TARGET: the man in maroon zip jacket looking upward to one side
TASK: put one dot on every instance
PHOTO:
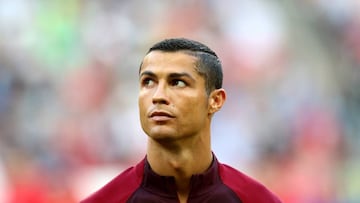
(180, 90)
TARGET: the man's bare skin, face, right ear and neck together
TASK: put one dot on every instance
(175, 113)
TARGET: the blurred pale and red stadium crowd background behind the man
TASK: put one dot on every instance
(69, 82)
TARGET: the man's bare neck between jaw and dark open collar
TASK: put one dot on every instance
(180, 160)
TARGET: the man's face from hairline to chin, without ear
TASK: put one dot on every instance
(173, 103)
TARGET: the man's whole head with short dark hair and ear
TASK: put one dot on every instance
(180, 89)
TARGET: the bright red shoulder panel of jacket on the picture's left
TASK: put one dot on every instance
(120, 188)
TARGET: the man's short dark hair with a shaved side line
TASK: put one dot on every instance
(208, 64)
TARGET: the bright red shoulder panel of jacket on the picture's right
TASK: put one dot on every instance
(246, 188)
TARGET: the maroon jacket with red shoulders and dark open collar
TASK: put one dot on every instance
(220, 183)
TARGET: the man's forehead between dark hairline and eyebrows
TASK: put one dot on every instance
(169, 61)
